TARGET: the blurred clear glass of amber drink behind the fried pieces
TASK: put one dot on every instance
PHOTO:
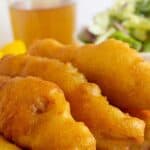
(37, 19)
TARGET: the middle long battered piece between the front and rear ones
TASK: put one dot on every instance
(108, 124)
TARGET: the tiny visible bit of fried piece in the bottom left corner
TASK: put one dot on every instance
(5, 145)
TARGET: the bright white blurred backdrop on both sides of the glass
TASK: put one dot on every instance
(86, 10)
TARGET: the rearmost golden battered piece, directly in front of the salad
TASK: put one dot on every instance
(120, 71)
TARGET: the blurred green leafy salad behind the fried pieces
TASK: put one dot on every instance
(127, 20)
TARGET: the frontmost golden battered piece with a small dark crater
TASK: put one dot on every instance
(35, 115)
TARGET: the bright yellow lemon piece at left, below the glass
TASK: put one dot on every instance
(14, 48)
